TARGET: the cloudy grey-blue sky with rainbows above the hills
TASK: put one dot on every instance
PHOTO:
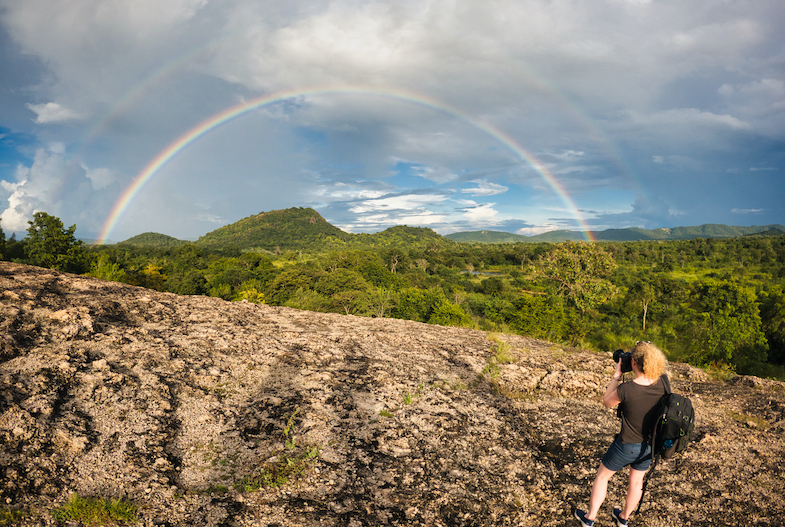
(525, 116)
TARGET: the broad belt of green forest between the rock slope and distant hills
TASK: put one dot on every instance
(716, 303)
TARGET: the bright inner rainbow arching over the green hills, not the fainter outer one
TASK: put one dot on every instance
(239, 110)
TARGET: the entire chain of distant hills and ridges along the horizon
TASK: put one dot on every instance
(304, 229)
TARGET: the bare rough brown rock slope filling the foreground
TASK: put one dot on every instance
(181, 404)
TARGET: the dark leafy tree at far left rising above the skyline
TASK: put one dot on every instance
(50, 245)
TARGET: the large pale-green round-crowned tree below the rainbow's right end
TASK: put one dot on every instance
(580, 270)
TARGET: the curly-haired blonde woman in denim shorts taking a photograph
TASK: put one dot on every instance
(638, 402)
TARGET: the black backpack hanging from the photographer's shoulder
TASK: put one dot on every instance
(671, 431)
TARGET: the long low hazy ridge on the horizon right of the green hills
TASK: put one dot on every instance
(620, 235)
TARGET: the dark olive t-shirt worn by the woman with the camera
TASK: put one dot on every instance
(639, 406)
